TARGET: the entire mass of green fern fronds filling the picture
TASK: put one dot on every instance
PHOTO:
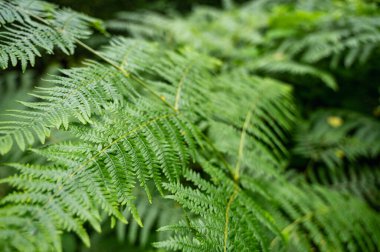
(209, 127)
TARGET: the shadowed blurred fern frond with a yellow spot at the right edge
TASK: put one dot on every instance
(339, 147)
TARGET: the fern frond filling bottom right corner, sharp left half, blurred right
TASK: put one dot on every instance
(309, 217)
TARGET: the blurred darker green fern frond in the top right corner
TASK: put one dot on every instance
(348, 39)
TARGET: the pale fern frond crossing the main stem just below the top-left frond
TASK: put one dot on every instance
(82, 92)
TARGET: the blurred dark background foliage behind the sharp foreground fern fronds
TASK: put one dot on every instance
(328, 50)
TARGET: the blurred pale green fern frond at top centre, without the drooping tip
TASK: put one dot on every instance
(207, 29)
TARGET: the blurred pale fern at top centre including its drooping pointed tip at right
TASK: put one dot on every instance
(204, 30)
